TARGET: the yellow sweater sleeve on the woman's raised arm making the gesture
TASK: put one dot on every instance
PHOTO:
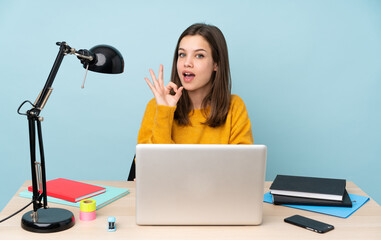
(157, 123)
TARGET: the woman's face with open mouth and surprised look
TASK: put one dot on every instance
(195, 64)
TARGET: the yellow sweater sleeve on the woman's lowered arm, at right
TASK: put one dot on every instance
(241, 127)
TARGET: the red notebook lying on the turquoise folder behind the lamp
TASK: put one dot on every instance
(70, 190)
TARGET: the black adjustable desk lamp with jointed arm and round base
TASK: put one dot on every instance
(101, 58)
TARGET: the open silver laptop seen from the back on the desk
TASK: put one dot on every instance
(199, 184)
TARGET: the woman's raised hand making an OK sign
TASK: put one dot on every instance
(163, 93)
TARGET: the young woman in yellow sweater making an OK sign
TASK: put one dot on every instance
(196, 106)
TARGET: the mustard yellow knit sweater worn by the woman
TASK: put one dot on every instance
(159, 126)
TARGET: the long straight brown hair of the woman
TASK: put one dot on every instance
(219, 96)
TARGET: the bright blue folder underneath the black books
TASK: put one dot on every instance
(343, 212)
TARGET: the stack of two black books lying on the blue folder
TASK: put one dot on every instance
(297, 190)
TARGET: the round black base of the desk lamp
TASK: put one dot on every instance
(49, 220)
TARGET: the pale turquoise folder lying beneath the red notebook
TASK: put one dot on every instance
(111, 194)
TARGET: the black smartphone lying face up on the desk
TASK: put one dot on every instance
(309, 224)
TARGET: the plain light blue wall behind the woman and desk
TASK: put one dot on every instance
(308, 71)
